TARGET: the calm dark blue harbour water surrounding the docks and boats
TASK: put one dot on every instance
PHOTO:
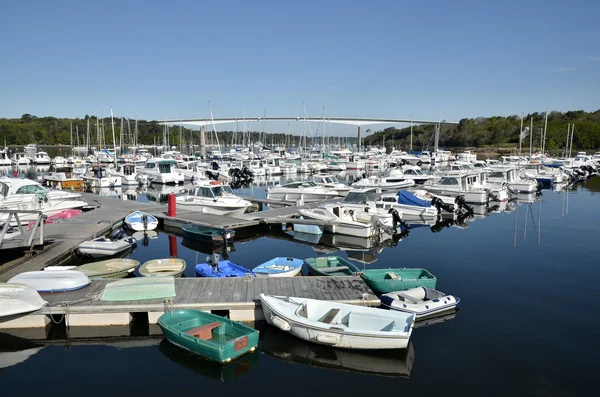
(527, 276)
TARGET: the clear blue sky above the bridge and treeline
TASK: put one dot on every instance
(431, 59)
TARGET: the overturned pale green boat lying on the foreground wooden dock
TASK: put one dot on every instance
(139, 288)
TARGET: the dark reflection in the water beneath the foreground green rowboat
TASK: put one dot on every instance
(215, 371)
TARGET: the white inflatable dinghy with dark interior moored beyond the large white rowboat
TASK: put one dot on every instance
(420, 301)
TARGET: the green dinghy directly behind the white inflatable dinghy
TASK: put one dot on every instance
(382, 281)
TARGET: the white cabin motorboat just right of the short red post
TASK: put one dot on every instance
(213, 197)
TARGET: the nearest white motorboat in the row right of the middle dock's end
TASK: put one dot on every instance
(350, 221)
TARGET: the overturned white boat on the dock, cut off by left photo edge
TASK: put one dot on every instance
(18, 299)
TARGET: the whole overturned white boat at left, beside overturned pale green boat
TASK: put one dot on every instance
(54, 281)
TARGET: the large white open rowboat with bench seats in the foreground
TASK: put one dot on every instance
(338, 324)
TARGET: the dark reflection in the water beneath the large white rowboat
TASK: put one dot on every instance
(285, 347)
